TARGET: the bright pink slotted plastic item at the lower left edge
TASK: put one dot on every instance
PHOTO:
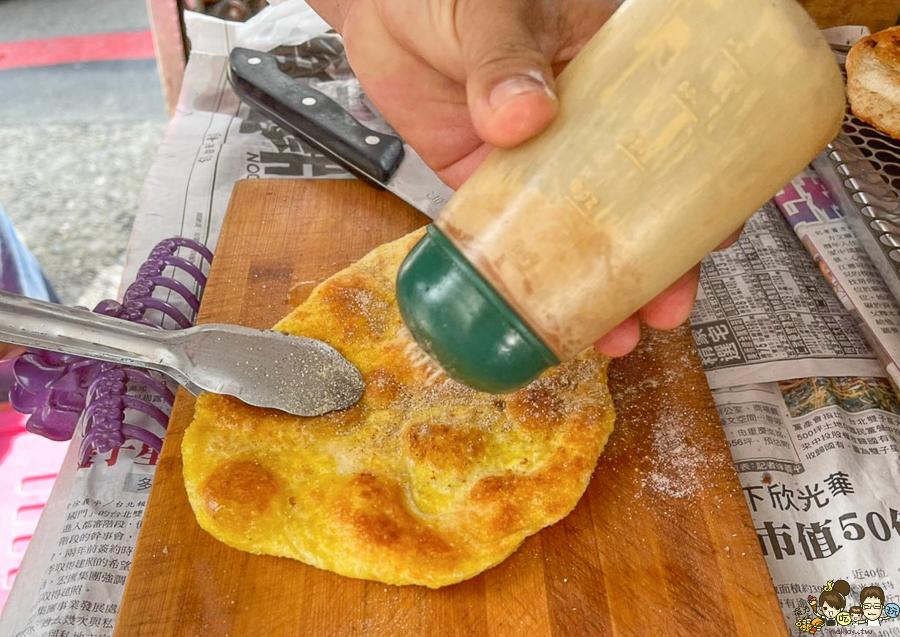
(28, 468)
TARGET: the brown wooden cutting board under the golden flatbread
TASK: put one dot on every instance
(661, 543)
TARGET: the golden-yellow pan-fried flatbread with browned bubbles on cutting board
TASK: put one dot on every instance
(424, 481)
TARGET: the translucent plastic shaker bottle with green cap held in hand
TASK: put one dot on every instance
(677, 121)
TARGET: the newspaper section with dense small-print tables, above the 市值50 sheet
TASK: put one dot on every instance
(765, 311)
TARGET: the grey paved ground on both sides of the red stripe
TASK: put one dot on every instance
(76, 142)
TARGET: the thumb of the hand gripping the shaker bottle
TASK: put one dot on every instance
(509, 81)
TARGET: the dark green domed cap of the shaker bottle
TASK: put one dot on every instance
(458, 318)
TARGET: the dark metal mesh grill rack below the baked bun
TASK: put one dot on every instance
(862, 170)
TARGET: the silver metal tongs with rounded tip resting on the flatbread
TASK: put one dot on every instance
(301, 376)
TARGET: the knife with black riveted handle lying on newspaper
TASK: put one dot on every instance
(381, 160)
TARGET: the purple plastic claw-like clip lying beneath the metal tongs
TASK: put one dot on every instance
(58, 389)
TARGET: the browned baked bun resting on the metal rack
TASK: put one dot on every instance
(873, 80)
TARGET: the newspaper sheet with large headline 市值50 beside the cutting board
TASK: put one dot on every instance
(818, 462)
